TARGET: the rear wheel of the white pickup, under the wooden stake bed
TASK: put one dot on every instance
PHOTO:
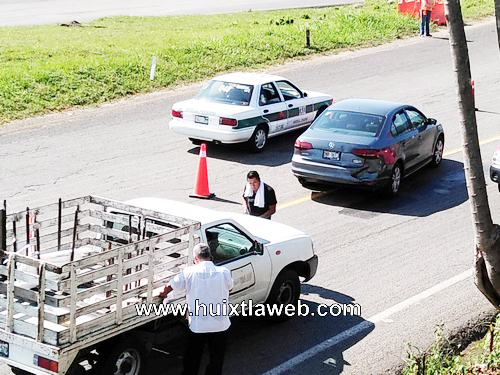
(128, 357)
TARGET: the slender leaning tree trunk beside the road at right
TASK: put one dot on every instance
(486, 234)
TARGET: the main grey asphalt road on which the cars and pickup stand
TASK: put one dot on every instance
(405, 261)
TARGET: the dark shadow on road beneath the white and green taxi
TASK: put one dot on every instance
(278, 151)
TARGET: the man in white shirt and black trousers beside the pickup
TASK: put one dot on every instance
(207, 292)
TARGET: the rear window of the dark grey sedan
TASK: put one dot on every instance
(352, 123)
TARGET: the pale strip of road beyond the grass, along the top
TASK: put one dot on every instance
(33, 12)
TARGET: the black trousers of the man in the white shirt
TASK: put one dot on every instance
(216, 341)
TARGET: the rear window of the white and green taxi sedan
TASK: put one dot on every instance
(226, 93)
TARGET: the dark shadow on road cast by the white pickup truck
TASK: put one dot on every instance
(255, 345)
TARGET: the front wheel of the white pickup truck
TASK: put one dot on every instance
(285, 291)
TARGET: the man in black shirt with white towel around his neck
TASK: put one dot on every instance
(259, 198)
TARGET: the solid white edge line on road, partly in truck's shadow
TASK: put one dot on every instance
(299, 358)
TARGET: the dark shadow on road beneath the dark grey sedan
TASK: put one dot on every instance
(422, 194)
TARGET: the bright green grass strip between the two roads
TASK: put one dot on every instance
(51, 68)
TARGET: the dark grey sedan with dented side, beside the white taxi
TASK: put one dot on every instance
(367, 142)
